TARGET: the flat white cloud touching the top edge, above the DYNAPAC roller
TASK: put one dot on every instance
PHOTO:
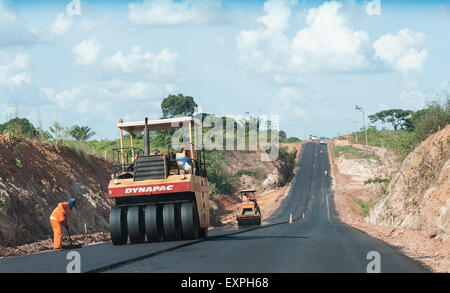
(170, 12)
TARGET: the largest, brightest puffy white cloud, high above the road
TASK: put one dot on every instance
(326, 44)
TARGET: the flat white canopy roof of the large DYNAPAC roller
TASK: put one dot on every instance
(160, 124)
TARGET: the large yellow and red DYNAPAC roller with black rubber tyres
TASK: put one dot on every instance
(158, 195)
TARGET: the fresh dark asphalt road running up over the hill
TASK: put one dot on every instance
(319, 242)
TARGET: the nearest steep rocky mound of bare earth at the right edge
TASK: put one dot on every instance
(419, 195)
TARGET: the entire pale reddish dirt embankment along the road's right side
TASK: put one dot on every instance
(412, 211)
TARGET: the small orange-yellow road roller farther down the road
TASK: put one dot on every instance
(248, 213)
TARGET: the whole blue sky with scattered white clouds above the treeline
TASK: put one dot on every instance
(309, 62)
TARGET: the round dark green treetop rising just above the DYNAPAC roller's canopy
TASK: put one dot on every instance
(178, 105)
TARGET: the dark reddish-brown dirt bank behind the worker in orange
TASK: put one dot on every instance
(35, 176)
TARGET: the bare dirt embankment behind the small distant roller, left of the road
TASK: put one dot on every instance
(264, 177)
